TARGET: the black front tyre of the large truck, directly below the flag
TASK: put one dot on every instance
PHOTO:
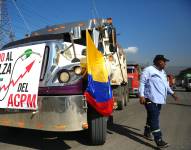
(97, 127)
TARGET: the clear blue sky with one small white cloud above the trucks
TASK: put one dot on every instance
(145, 27)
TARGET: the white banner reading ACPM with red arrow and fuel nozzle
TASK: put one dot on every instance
(19, 76)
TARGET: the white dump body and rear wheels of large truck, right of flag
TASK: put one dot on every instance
(119, 81)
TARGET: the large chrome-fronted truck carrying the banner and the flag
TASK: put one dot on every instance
(61, 103)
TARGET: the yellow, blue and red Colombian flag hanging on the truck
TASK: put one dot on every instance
(98, 92)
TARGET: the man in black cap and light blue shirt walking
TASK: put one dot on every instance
(153, 91)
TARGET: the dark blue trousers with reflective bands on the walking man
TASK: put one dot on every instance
(153, 114)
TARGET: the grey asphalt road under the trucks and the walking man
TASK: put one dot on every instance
(124, 134)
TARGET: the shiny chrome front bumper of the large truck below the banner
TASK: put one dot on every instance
(55, 113)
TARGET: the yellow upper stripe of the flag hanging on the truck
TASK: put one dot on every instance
(95, 61)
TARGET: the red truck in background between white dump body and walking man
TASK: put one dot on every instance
(133, 71)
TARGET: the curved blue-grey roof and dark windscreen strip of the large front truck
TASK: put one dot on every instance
(58, 31)
